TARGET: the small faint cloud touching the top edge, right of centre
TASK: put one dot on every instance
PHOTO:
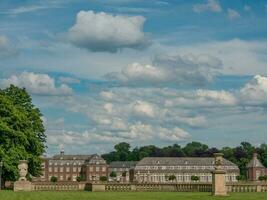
(210, 5)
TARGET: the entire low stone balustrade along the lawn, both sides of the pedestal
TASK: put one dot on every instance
(146, 187)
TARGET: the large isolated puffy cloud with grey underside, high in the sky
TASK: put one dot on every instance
(106, 32)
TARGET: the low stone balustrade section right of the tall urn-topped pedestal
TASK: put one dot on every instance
(247, 187)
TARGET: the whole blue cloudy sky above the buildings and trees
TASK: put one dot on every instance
(140, 71)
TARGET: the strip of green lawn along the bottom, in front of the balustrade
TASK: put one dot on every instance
(10, 195)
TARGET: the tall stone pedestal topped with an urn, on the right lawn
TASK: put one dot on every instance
(218, 177)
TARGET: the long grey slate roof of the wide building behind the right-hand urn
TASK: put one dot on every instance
(181, 161)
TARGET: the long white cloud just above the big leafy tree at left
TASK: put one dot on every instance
(40, 84)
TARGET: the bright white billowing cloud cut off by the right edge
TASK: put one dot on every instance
(255, 91)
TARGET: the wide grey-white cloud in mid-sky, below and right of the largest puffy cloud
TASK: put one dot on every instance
(170, 70)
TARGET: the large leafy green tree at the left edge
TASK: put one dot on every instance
(22, 134)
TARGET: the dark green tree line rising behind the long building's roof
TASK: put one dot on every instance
(240, 155)
